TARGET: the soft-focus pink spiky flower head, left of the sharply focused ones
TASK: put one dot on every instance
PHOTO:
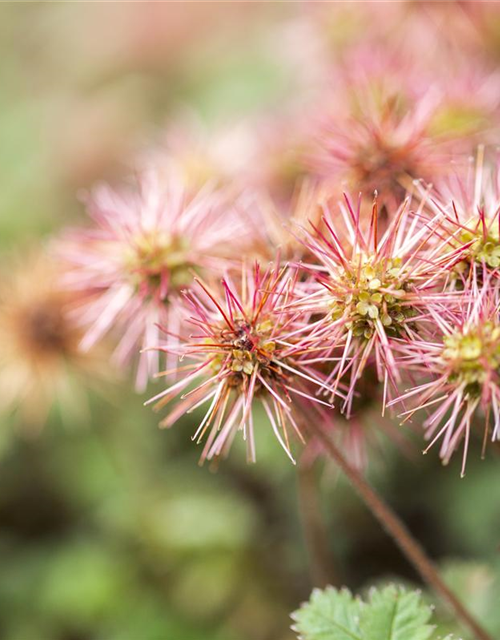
(139, 253)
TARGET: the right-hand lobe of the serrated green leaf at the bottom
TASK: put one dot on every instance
(395, 614)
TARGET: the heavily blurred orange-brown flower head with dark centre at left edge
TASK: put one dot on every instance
(40, 363)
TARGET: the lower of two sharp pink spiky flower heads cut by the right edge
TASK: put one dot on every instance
(463, 362)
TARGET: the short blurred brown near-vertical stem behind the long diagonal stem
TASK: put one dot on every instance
(315, 533)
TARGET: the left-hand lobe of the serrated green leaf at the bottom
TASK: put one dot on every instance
(329, 615)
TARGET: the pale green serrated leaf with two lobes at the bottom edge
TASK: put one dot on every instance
(392, 613)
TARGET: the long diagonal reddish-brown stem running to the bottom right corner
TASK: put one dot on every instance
(394, 526)
